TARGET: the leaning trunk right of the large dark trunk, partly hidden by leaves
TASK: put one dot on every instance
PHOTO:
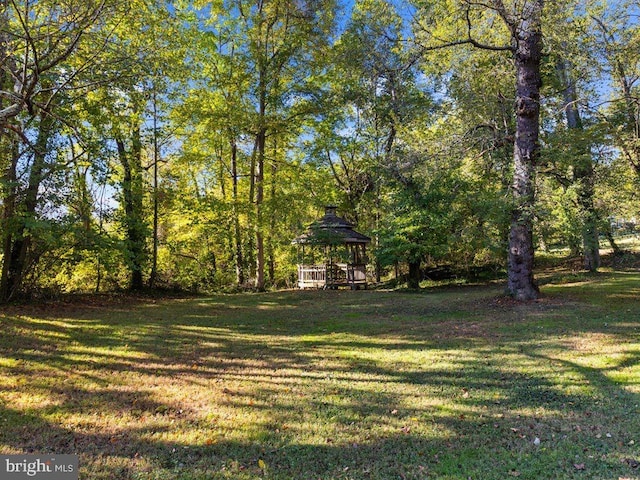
(583, 175)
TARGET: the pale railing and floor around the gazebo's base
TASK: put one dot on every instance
(333, 275)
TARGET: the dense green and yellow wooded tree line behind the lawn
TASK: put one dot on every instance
(184, 144)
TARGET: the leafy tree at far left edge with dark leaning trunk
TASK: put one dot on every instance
(37, 42)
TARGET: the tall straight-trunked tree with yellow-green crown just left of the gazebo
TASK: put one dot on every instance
(282, 38)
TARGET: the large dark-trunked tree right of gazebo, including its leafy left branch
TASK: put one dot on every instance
(522, 22)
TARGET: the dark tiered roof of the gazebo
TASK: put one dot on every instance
(331, 230)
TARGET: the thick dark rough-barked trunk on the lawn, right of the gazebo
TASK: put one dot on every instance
(528, 52)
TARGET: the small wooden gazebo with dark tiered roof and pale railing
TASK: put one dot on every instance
(332, 254)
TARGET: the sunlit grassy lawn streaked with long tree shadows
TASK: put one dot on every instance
(448, 383)
